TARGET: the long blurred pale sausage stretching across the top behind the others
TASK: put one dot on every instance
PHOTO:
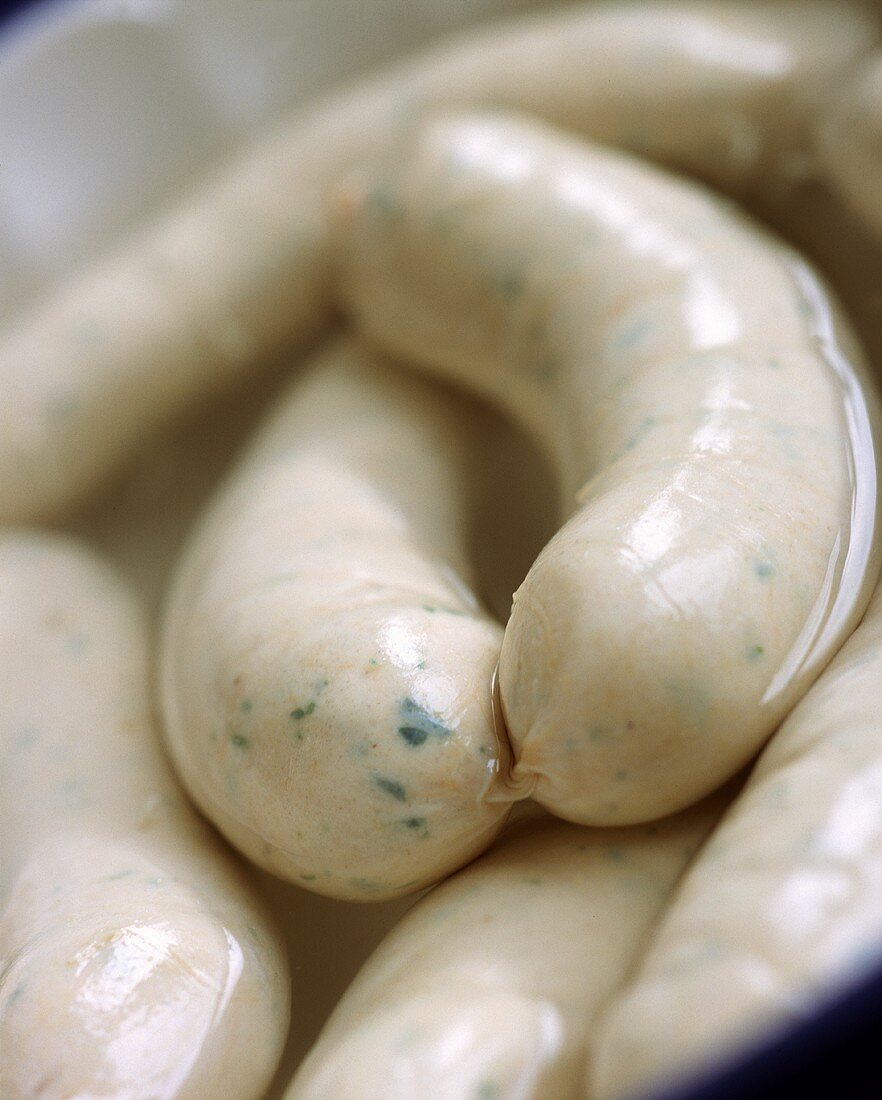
(239, 270)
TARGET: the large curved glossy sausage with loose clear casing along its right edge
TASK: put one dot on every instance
(701, 398)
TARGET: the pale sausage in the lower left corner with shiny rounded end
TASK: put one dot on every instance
(136, 961)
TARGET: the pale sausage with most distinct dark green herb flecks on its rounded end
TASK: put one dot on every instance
(326, 672)
